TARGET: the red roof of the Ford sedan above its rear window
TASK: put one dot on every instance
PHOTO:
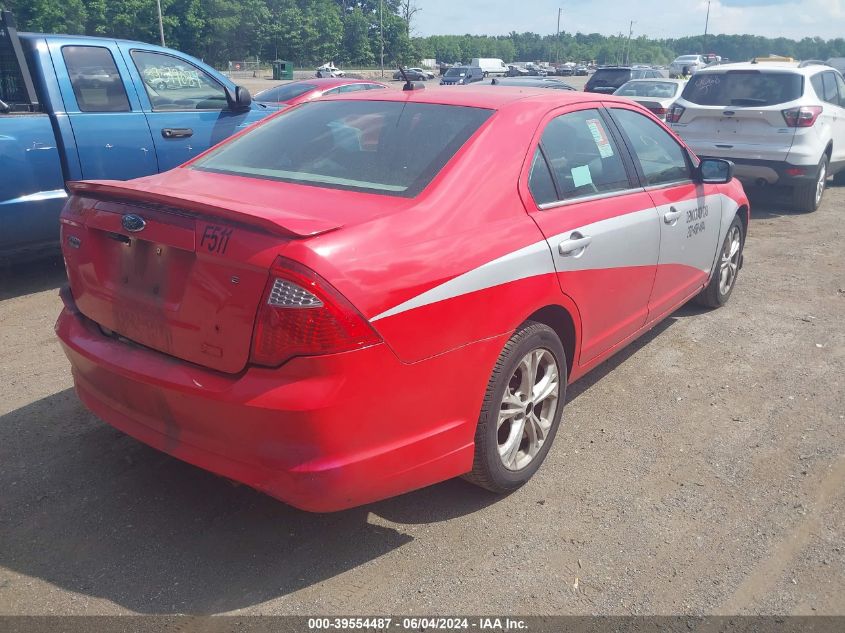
(481, 96)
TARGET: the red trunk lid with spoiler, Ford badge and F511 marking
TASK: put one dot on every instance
(181, 272)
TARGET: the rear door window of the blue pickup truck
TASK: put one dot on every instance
(96, 83)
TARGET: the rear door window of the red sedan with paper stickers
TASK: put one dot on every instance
(584, 159)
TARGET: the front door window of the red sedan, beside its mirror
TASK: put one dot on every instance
(661, 158)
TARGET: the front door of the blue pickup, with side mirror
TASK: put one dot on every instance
(186, 106)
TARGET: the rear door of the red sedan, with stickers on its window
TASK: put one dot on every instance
(600, 225)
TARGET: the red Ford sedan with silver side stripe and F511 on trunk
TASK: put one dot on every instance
(372, 293)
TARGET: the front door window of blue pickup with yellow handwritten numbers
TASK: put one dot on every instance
(174, 84)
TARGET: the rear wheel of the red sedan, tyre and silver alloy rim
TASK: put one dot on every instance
(522, 409)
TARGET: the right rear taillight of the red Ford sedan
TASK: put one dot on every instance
(301, 314)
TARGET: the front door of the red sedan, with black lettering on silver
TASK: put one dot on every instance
(690, 213)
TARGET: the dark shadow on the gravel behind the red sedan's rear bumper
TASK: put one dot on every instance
(90, 510)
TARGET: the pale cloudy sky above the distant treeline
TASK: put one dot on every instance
(654, 18)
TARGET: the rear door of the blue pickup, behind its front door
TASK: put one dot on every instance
(111, 133)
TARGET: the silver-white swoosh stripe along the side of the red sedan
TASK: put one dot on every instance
(621, 248)
